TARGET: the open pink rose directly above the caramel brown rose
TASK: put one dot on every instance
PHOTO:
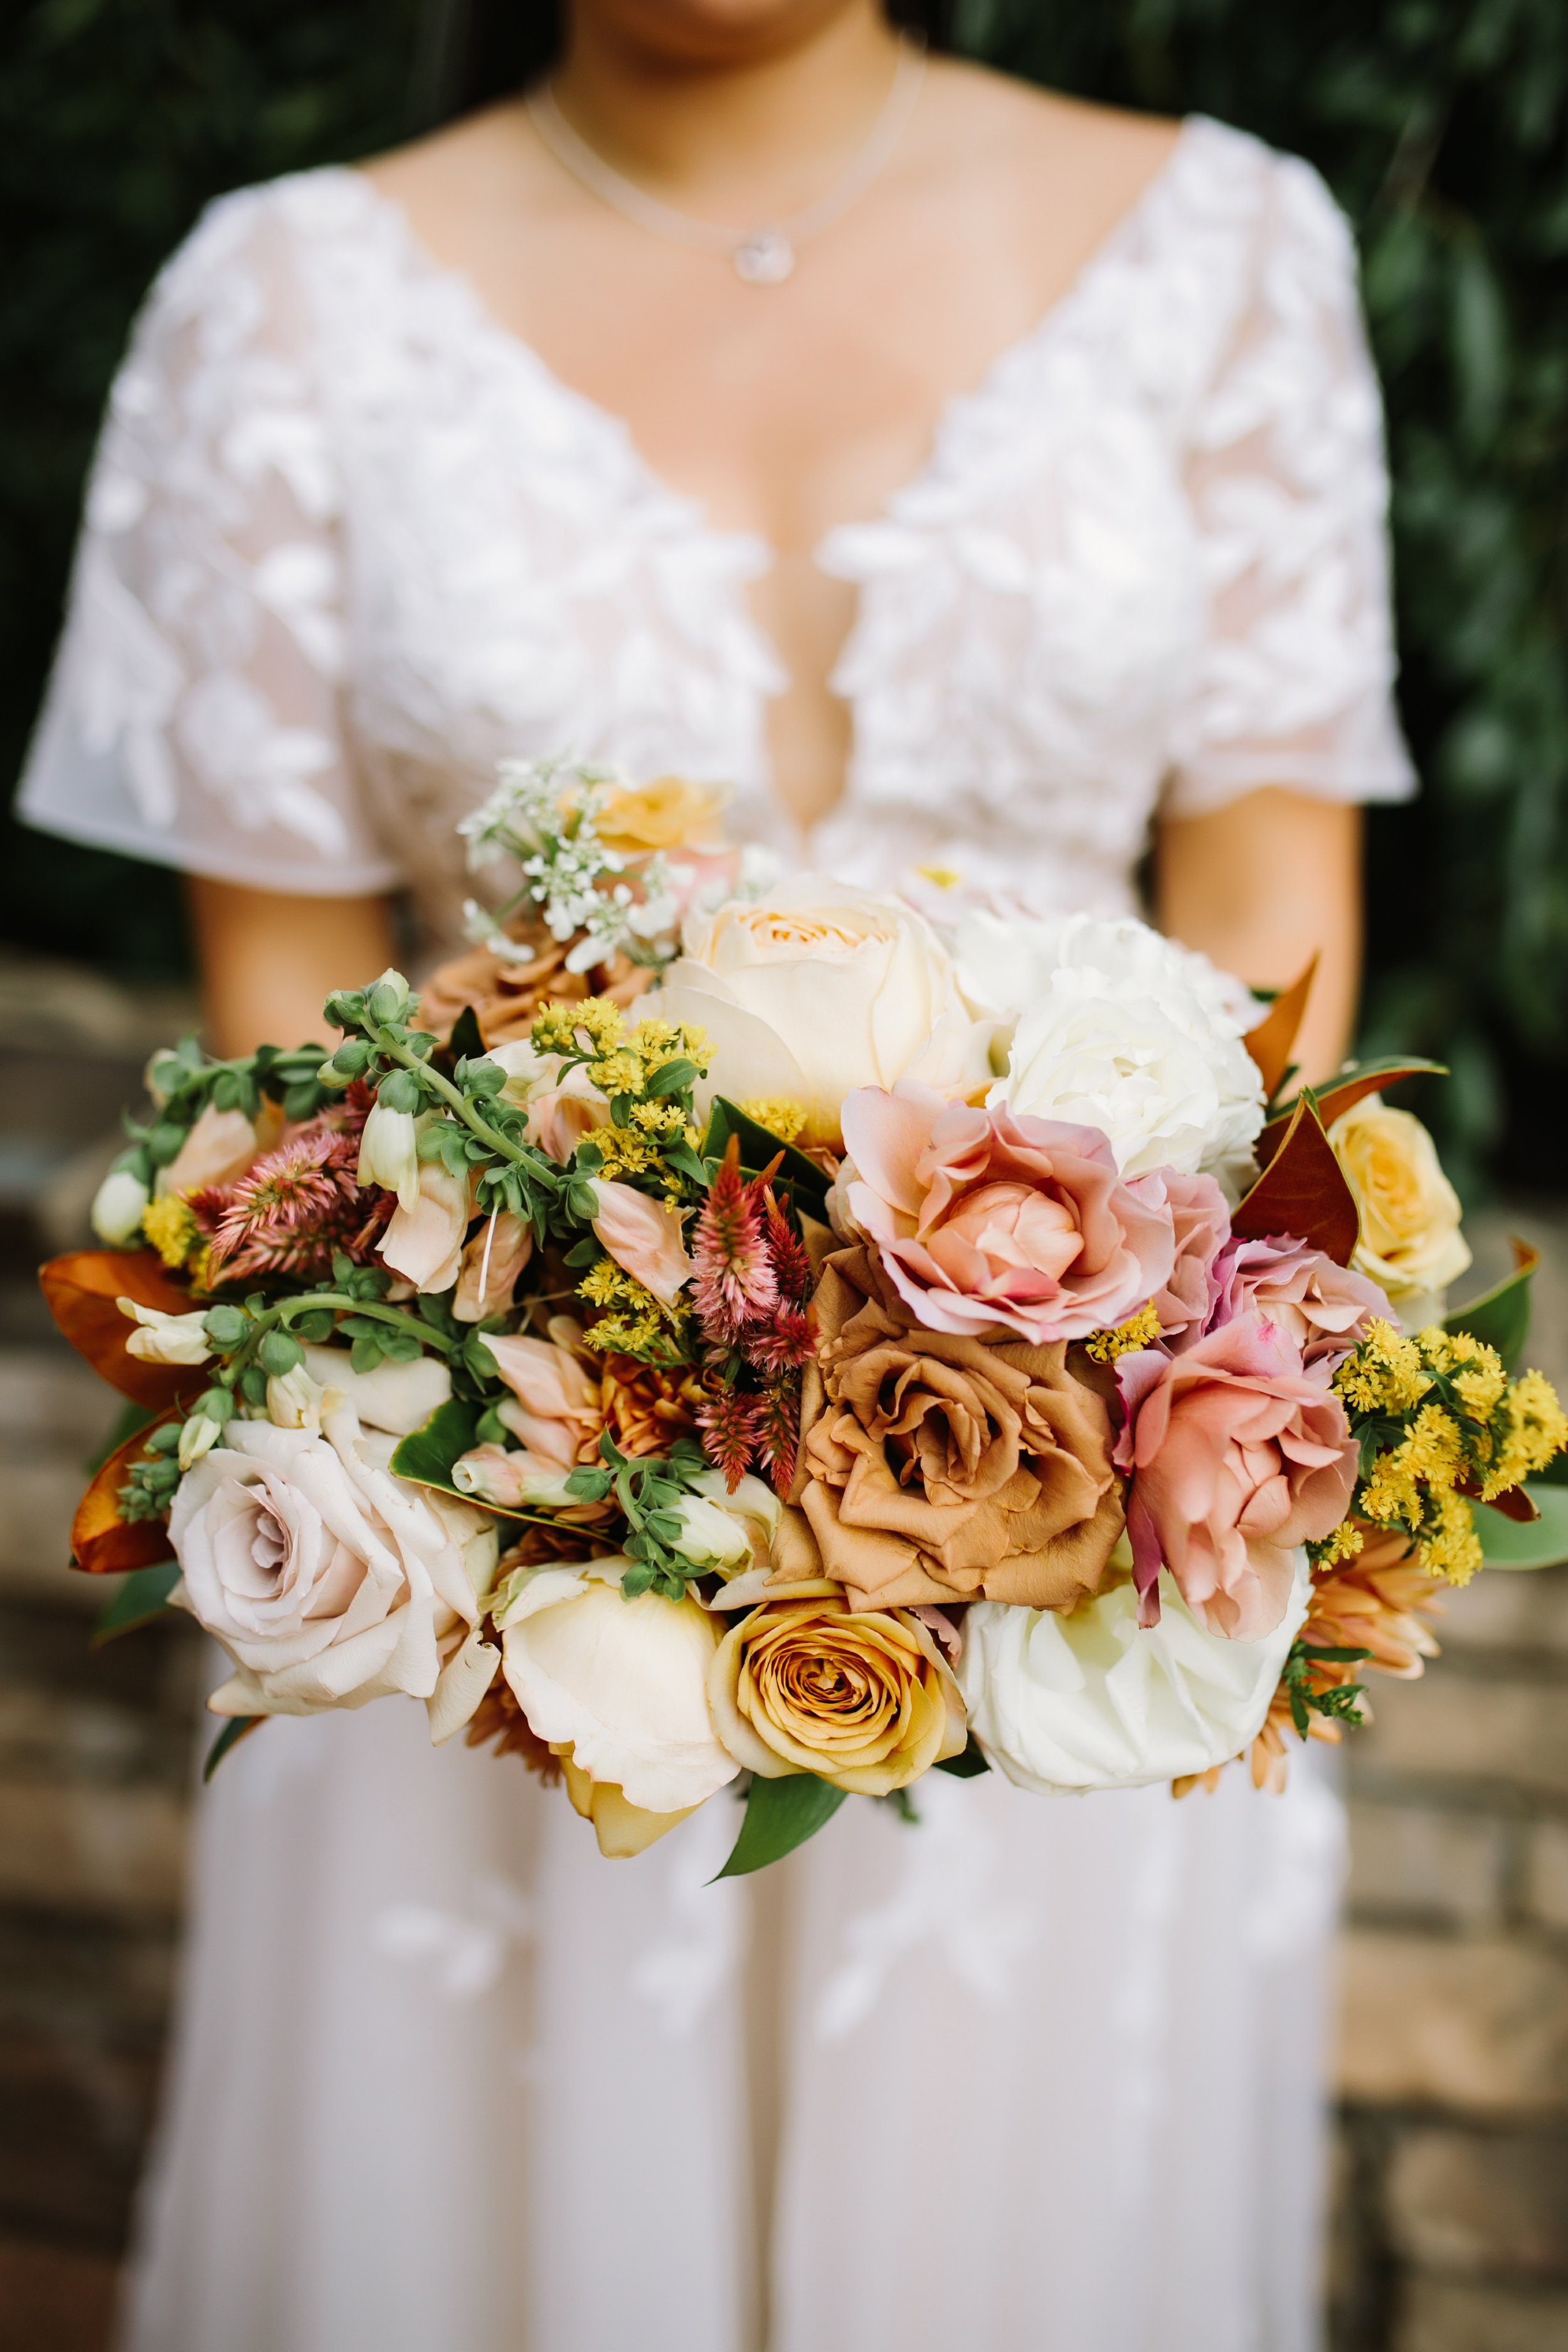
(996, 1222)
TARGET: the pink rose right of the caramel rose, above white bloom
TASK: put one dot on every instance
(1238, 1457)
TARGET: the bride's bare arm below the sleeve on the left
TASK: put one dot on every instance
(269, 961)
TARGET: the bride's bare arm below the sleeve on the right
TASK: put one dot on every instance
(1259, 888)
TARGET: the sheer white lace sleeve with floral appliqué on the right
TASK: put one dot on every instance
(1289, 486)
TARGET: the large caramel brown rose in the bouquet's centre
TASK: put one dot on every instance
(944, 1469)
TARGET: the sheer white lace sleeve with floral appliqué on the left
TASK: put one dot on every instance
(196, 709)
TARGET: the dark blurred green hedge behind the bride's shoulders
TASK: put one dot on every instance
(1442, 128)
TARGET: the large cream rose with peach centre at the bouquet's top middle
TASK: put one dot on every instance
(815, 991)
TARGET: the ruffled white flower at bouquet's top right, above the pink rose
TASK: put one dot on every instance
(1127, 1031)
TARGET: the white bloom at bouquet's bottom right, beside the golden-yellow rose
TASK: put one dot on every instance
(1090, 1699)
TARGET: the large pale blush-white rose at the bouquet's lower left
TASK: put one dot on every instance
(326, 1579)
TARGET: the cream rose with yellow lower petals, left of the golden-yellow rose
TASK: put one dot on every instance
(622, 1692)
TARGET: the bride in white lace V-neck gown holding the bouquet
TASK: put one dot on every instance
(989, 488)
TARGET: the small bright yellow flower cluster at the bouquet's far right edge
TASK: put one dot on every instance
(1452, 1426)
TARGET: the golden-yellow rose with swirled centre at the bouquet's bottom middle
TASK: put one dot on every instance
(859, 1697)
